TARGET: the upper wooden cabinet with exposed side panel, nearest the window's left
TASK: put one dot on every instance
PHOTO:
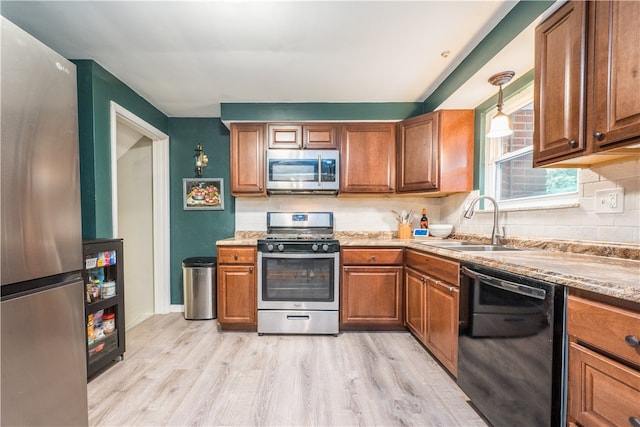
(435, 152)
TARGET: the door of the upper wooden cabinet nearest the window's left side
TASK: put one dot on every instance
(417, 153)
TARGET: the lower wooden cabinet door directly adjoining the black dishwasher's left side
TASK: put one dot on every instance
(443, 323)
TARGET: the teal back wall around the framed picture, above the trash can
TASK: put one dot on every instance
(194, 233)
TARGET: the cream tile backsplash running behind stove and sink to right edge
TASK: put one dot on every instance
(575, 222)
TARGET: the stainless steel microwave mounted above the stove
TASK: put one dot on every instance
(303, 171)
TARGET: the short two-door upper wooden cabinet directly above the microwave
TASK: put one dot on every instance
(295, 136)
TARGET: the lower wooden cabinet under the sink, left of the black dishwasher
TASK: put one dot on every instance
(431, 301)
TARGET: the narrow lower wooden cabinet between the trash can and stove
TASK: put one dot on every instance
(237, 296)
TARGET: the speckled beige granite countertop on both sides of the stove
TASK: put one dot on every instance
(612, 270)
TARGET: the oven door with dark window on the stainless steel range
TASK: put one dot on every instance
(298, 279)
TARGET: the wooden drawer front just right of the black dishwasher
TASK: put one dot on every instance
(604, 326)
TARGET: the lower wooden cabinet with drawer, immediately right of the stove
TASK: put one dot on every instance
(371, 289)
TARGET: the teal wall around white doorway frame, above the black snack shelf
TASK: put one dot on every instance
(96, 89)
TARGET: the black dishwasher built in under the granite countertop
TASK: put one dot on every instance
(511, 347)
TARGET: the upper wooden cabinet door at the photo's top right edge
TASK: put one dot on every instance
(615, 113)
